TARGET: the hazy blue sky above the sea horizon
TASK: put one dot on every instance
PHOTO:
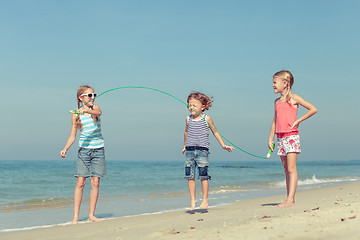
(226, 49)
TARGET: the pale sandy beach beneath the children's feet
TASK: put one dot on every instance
(322, 213)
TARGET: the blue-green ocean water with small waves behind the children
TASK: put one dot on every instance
(39, 194)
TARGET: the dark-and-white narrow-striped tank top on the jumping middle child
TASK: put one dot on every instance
(198, 132)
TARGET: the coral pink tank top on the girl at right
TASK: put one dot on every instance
(285, 118)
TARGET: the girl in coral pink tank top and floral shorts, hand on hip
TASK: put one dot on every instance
(285, 125)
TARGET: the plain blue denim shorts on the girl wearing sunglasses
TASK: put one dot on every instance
(91, 163)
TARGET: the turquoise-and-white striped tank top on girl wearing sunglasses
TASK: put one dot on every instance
(90, 134)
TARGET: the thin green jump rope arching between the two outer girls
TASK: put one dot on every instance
(172, 96)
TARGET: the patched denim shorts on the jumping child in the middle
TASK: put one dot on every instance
(197, 158)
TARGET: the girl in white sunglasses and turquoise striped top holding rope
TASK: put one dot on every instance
(91, 154)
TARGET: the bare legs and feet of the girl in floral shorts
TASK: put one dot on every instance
(292, 179)
